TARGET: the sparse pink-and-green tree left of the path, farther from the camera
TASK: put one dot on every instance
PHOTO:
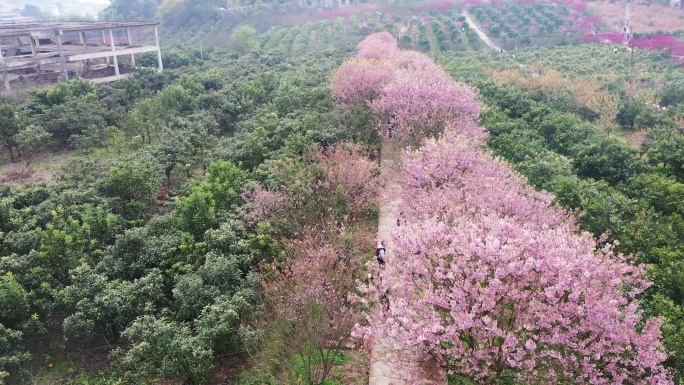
(336, 183)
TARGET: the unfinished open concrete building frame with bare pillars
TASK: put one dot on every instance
(99, 51)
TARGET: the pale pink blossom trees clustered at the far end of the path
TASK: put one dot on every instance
(407, 92)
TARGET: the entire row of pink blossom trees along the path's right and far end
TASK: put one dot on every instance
(489, 279)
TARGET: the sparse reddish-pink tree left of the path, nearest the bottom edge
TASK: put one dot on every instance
(310, 290)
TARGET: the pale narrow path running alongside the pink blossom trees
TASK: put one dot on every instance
(386, 352)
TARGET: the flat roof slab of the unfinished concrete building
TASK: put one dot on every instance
(50, 27)
